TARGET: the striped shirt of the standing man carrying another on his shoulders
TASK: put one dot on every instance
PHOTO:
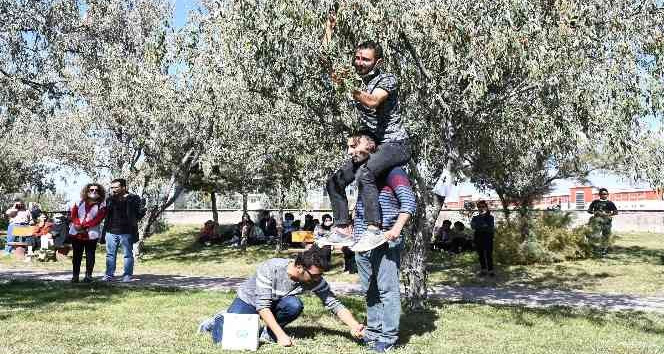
(395, 196)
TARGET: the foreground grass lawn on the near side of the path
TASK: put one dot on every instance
(57, 317)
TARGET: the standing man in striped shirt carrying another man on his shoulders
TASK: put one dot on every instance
(379, 267)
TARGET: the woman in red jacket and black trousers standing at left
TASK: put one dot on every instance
(84, 231)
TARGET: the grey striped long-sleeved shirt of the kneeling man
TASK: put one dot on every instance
(271, 283)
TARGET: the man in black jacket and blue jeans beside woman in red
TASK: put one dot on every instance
(125, 210)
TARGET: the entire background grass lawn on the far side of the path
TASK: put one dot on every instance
(636, 265)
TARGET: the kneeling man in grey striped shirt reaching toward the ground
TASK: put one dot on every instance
(271, 294)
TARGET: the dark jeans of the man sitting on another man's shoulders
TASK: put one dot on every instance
(386, 157)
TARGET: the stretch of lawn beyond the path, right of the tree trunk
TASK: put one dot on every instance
(635, 266)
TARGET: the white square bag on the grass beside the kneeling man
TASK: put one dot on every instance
(240, 332)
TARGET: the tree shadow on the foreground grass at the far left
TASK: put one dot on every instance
(33, 295)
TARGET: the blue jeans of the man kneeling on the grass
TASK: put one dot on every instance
(286, 310)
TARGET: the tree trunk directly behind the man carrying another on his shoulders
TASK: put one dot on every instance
(421, 232)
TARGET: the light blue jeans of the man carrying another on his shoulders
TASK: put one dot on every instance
(379, 277)
